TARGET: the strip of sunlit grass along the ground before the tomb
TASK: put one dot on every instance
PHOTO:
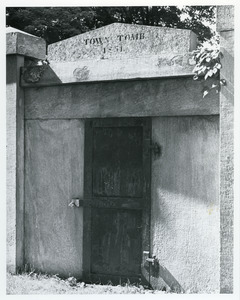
(32, 283)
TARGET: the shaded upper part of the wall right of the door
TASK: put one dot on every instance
(188, 164)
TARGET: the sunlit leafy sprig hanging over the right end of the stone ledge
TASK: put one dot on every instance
(208, 63)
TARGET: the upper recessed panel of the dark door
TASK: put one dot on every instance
(117, 161)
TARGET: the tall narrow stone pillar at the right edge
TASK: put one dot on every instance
(225, 26)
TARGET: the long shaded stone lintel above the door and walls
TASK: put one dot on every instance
(156, 97)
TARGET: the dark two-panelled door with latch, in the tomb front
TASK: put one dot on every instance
(116, 200)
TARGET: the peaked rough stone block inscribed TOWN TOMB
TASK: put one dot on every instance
(123, 40)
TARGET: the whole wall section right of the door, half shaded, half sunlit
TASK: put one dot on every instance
(185, 203)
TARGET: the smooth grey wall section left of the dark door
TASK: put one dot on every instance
(53, 176)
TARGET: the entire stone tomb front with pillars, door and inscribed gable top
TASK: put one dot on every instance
(118, 168)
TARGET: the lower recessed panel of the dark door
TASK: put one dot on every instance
(116, 240)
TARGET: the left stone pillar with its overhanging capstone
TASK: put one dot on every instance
(19, 46)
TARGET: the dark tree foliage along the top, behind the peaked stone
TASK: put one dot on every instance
(58, 23)
